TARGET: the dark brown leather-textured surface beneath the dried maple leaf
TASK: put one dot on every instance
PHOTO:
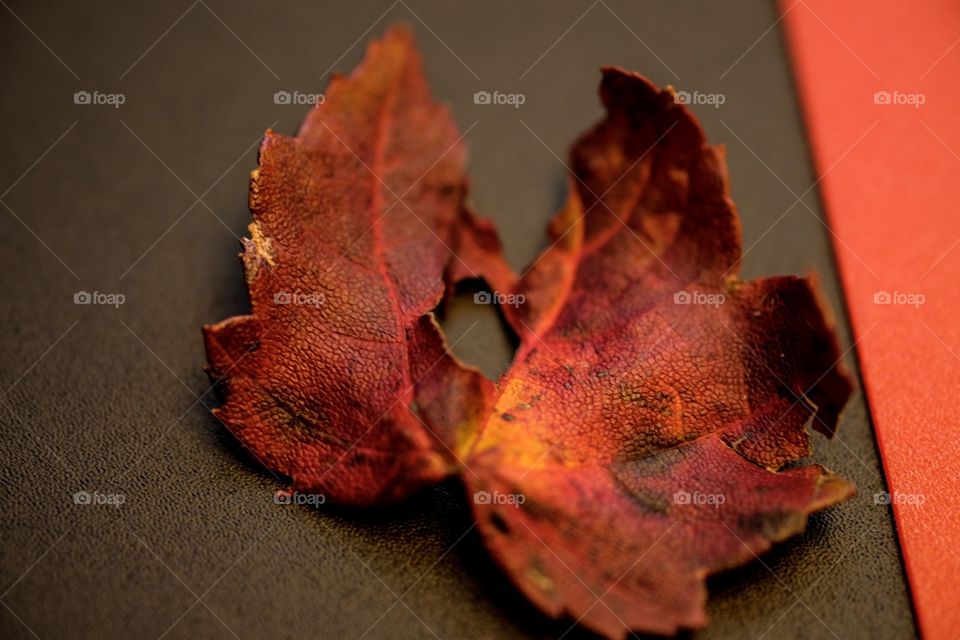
(104, 399)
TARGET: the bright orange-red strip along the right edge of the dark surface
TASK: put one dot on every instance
(880, 85)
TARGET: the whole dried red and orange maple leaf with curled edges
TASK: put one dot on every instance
(649, 430)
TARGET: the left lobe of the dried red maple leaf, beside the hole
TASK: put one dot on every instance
(356, 221)
